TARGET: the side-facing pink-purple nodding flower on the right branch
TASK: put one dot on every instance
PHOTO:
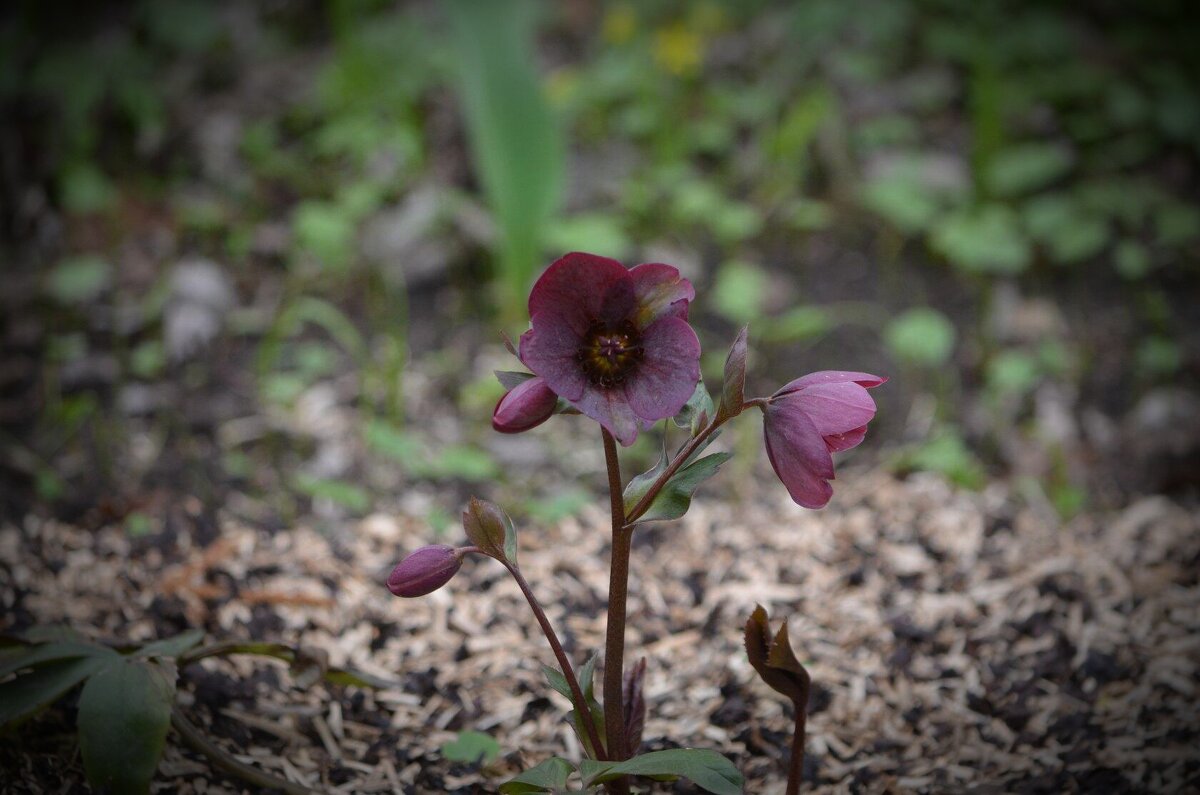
(809, 420)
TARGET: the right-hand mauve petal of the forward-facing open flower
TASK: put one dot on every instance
(667, 376)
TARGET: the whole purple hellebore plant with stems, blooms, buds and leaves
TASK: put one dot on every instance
(614, 344)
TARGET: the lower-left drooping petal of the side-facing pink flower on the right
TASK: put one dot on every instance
(799, 455)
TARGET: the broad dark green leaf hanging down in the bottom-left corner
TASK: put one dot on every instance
(124, 716)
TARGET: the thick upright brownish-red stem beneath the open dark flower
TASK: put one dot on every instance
(615, 642)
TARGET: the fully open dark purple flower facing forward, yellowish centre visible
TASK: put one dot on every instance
(615, 343)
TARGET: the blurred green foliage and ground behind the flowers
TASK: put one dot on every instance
(962, 153)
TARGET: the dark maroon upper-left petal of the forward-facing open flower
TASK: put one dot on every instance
(581, 289)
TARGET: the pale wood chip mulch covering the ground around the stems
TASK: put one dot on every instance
(958, 642)
